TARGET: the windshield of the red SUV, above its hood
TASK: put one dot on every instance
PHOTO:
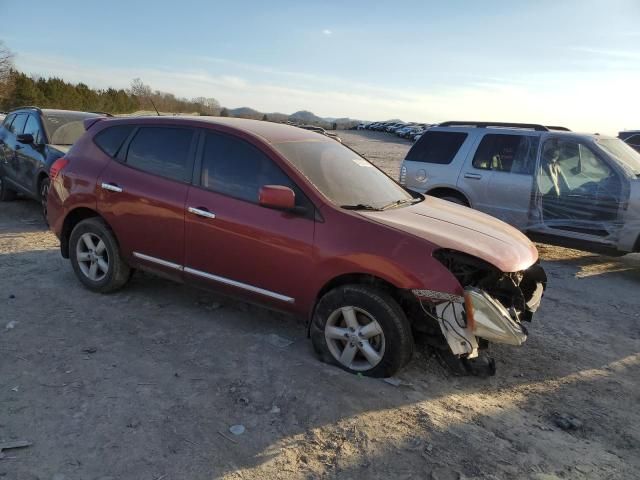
(343, 176)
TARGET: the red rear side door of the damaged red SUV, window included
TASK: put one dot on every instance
(142, 194)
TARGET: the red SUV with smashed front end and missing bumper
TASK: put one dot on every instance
(298, 222)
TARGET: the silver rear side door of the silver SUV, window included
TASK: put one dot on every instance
(499, 176)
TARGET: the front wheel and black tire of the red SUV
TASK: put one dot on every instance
(378, 344)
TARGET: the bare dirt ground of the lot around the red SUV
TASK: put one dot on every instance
(145, 383)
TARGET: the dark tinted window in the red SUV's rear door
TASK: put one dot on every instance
(162, 151)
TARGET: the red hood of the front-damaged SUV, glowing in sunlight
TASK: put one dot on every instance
(452, 226)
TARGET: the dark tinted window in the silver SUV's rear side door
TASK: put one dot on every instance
(507, 153)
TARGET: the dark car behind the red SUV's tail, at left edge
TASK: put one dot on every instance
(32, 139)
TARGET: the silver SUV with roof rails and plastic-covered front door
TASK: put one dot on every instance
(579, 190)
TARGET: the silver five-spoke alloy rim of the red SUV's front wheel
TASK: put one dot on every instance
(355, 338)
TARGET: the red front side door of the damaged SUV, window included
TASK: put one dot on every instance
(234, 243)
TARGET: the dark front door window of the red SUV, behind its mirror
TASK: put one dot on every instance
(236, 168)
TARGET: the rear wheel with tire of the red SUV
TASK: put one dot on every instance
(95, 257)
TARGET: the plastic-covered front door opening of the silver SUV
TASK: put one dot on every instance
(578, 190)
